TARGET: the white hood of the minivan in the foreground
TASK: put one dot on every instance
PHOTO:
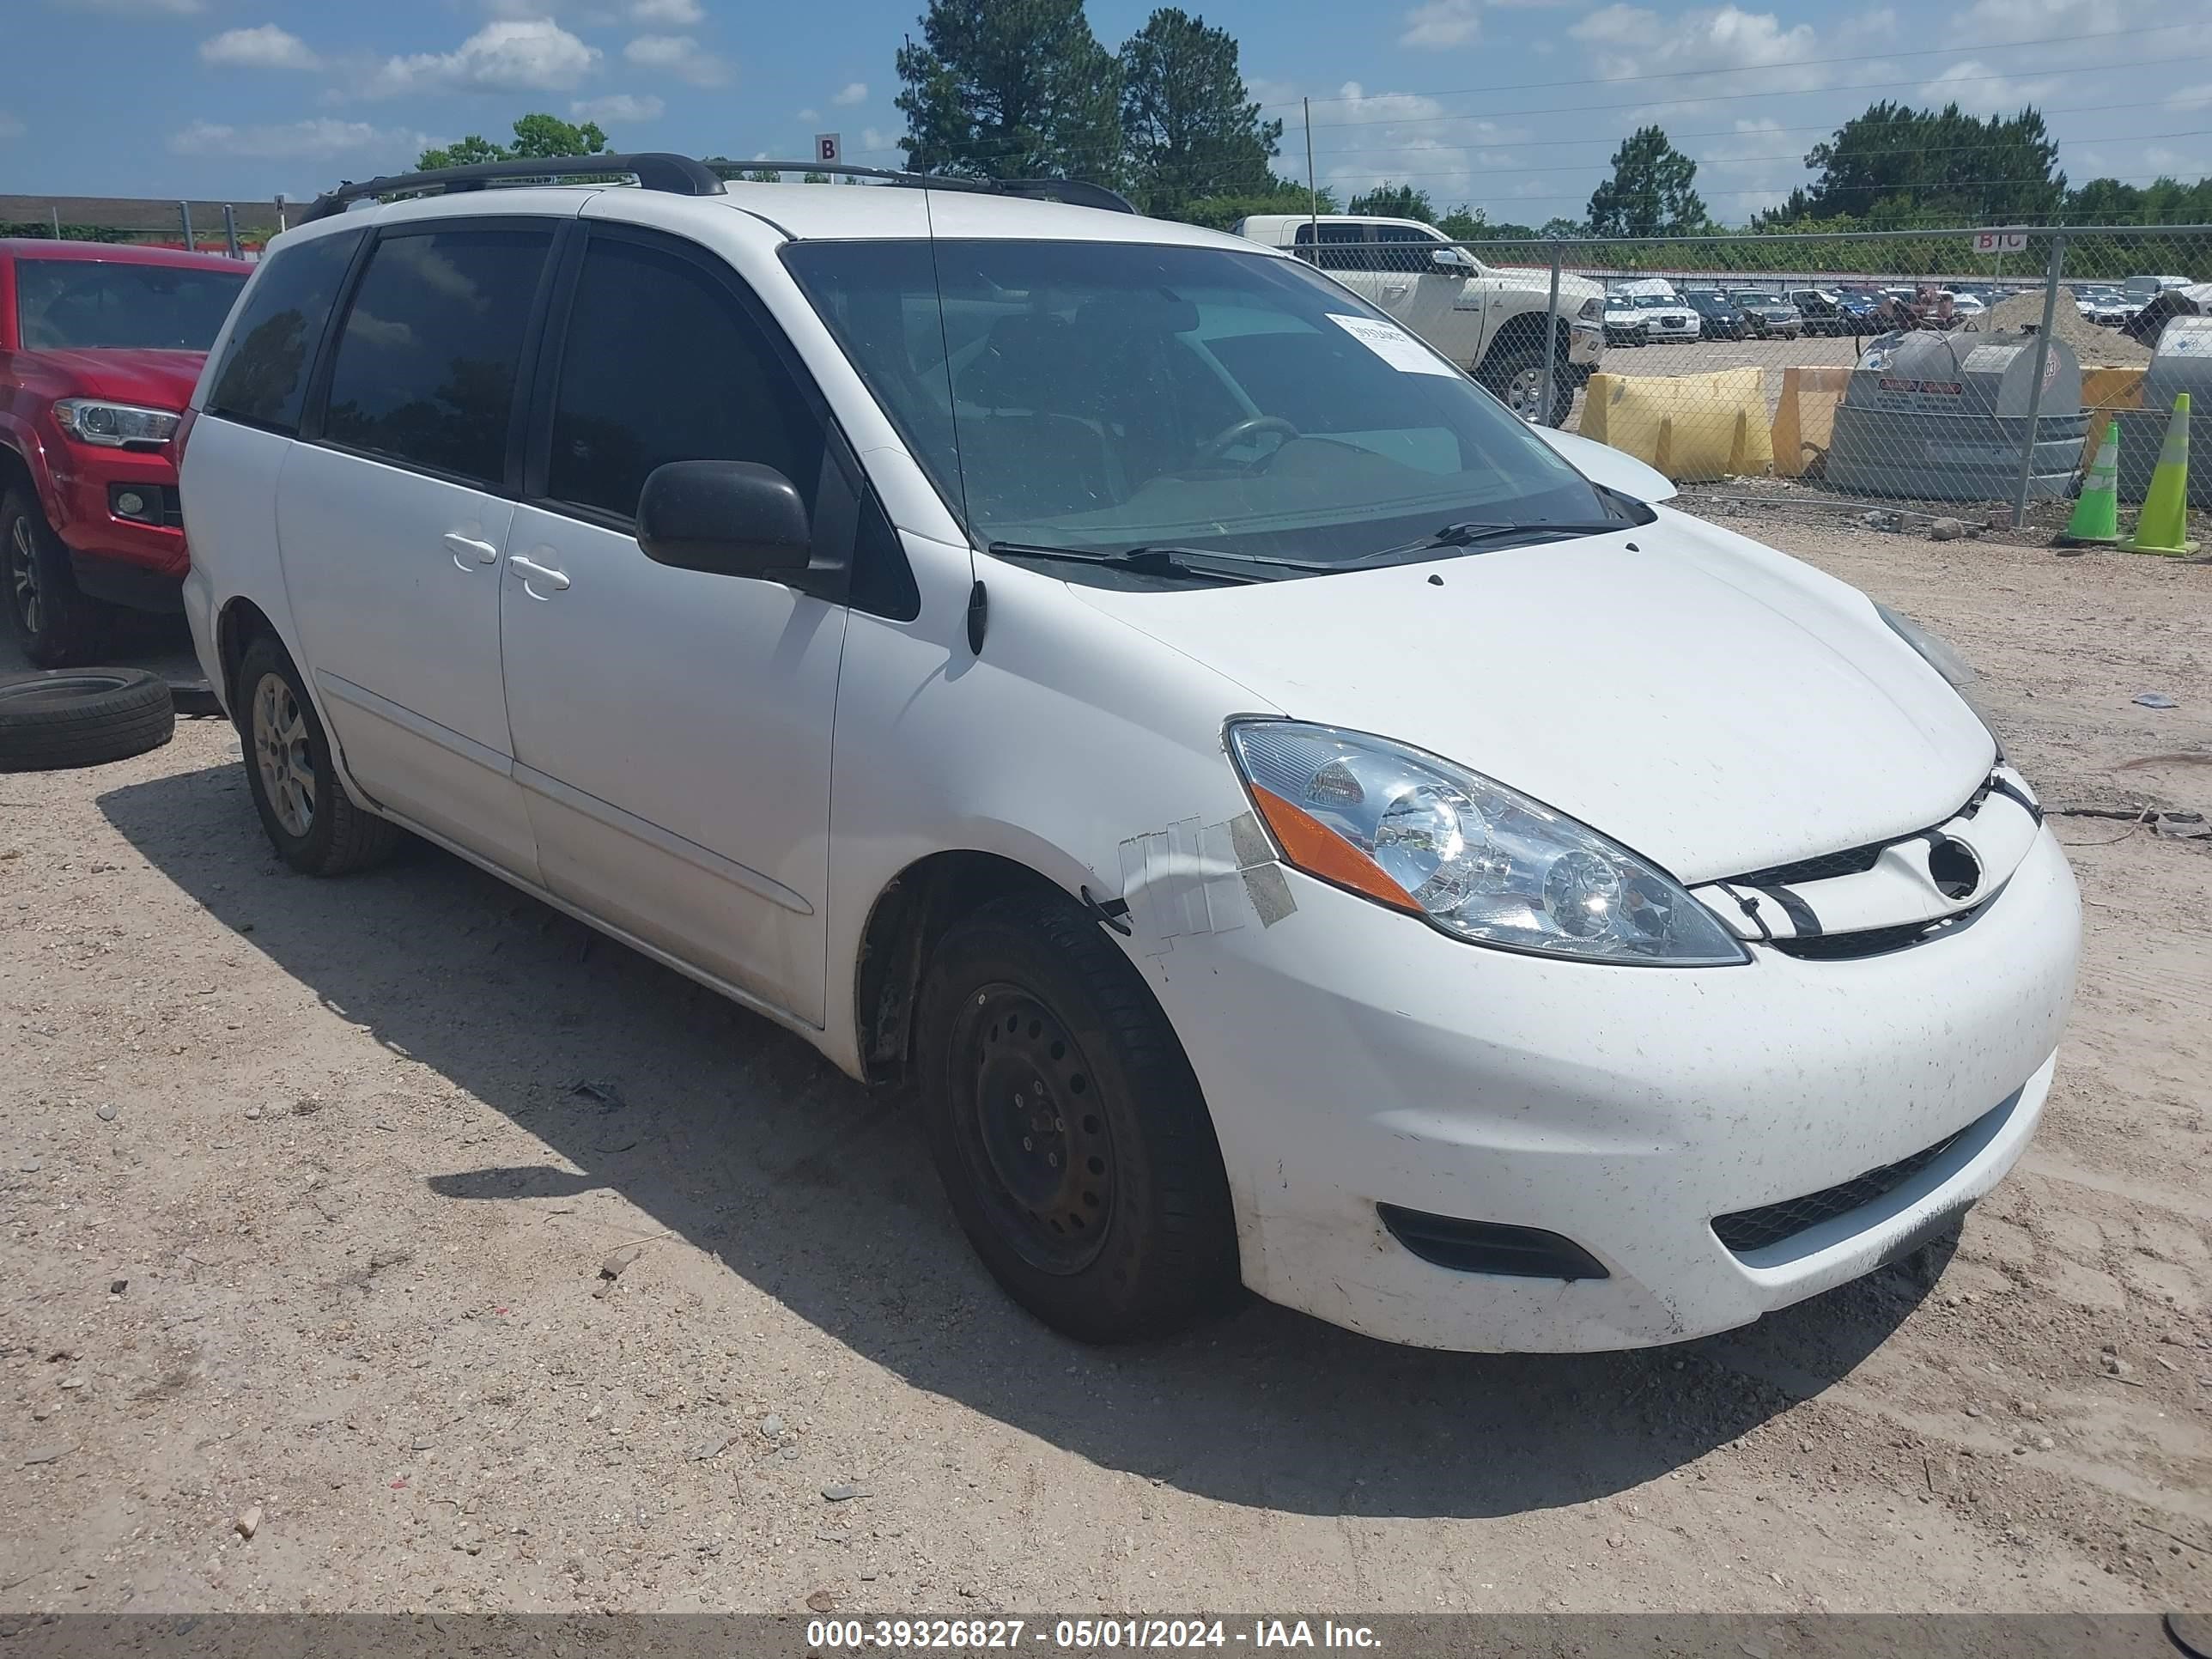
(1709, 702)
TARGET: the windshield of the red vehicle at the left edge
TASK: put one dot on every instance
(92, 304)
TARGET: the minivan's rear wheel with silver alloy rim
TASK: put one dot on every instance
(311, 822)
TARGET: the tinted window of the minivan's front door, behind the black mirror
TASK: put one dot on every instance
(662, 364)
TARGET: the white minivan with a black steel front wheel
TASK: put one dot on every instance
(1286, 820)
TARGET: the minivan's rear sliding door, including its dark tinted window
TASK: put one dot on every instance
(393, 514)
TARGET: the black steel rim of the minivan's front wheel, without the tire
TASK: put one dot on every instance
(1034, 1131)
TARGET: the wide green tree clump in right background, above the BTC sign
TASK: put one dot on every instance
(1901, 165)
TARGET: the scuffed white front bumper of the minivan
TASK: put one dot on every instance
(1359, 1058)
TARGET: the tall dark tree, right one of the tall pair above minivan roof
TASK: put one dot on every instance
(1187, 125)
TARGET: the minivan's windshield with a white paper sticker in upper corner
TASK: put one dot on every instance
(1107, 397)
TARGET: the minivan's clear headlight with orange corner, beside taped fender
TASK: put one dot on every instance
(1470, 857)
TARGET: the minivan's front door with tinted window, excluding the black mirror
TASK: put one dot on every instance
(671, 727)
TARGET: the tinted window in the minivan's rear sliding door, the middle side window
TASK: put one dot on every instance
(426, 364)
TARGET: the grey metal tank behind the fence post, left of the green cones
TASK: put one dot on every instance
(1945, 417)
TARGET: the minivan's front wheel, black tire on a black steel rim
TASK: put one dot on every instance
(1070, 1129)
